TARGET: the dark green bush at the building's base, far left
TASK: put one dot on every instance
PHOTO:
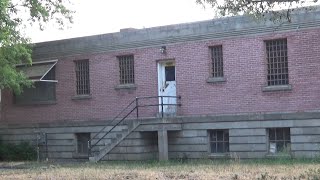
(17, 152)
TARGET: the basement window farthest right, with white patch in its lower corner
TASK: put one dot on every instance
(279, 140)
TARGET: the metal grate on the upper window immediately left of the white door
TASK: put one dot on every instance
(126, 65)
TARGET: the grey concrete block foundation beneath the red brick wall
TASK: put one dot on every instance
(187, 138)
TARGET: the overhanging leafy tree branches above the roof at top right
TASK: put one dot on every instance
(274, 10)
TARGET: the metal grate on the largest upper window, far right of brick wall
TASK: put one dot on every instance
(277, 57)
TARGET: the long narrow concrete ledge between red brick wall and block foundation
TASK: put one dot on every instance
(275, 116)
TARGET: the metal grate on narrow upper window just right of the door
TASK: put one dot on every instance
(217, 61)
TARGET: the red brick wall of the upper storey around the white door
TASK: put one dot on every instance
(244, 70)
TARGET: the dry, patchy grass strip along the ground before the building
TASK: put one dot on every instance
(197, 169)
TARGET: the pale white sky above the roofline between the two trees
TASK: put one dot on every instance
(107, 16)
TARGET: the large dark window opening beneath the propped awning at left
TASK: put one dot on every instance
(40, 92)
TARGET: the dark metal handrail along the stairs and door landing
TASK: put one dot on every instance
(136, 107)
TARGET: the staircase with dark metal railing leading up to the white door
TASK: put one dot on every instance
(107, 139)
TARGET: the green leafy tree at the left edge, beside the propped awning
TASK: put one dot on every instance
(15, 47)
